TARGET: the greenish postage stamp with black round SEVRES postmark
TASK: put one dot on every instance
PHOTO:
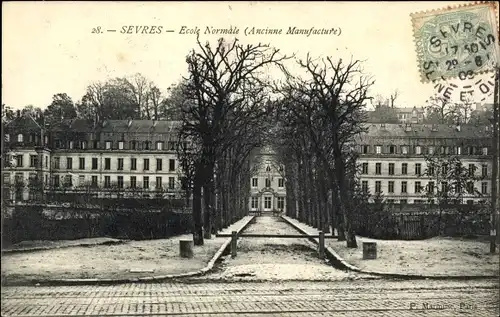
(456, 42)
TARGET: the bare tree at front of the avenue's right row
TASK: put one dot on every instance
(329, 105)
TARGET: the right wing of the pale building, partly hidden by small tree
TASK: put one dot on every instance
(393, 161)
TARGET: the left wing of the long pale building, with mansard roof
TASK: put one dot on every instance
(117, 158)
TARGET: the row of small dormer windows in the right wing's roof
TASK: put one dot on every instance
(420, 150)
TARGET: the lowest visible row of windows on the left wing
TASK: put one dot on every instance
(67, 181)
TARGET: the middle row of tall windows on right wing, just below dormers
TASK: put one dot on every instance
(419, 171)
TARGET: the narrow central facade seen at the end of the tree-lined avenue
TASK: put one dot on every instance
(267, 185)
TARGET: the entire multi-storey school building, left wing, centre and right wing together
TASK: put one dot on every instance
(127, 158)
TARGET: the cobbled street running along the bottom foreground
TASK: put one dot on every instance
(339, 298)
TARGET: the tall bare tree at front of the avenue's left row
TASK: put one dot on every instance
(225, 90)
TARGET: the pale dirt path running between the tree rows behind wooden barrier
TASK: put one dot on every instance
(276, 258)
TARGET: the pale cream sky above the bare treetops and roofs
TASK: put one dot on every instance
(49, 47)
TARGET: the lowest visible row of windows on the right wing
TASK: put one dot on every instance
(430, 187)
